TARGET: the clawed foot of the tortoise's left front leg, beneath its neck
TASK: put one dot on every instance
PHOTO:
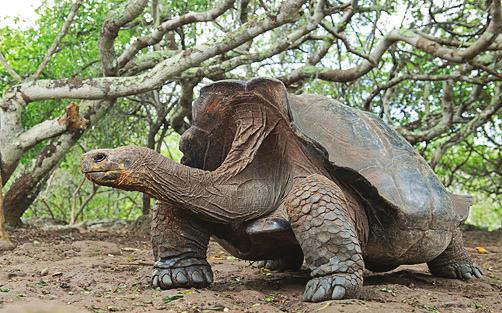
(197, 276)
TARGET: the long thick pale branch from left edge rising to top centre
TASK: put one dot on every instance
(110, 87)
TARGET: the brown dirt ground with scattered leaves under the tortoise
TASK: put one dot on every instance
(72, 271)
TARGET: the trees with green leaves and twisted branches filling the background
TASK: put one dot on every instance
(107, 73)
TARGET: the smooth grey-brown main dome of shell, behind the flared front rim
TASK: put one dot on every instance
(377, 162)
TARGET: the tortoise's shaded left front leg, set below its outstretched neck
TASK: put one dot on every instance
(179, 246)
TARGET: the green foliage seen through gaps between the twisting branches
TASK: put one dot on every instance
(413, 106)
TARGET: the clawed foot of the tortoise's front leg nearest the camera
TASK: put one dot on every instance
(333, 287)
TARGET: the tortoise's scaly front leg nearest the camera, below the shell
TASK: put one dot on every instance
(324, 222)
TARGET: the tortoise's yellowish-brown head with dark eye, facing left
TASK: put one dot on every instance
(121, 168)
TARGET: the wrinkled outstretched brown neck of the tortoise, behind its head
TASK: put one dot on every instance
(203, 194)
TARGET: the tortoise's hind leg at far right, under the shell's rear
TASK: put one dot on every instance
(454, 262)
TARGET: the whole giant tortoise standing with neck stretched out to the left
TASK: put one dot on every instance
(282, 178)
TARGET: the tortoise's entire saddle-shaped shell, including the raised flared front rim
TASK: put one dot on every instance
(396, 183)
